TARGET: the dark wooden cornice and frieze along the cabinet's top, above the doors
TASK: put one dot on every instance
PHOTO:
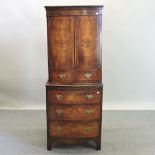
(74, 10)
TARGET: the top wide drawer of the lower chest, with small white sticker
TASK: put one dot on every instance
(74, 97)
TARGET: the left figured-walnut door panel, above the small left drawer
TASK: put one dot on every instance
(61, 42)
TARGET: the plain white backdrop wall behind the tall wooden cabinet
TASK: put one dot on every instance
(128, 53)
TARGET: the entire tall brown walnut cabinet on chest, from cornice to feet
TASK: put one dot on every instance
(74, 88)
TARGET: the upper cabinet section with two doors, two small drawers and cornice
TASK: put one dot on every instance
(74, 44)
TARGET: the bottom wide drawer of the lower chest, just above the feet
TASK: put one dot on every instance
(68, 129)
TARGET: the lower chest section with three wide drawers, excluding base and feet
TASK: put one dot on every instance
(74, 112)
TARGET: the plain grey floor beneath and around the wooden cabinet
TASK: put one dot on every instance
(124, 133)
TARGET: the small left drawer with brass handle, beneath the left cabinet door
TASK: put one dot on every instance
(62, 77)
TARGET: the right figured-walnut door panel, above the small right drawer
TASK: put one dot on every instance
(88, 42)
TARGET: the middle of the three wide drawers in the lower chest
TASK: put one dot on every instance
(73, 112)
